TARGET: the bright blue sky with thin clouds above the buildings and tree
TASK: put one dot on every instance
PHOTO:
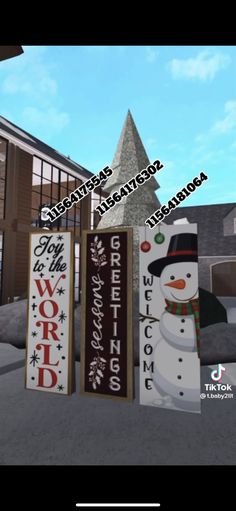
(183, 101)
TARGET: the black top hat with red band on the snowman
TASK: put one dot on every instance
(182, 248)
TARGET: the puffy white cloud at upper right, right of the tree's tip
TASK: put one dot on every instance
(203, 67)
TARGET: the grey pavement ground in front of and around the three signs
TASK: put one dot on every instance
(43, 428)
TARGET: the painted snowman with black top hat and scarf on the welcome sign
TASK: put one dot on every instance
(176, 354)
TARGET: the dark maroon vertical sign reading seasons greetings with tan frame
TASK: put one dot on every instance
(106, 337)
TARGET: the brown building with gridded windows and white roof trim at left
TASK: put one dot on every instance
(33, 174)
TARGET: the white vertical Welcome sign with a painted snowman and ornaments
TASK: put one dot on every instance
(169, 318)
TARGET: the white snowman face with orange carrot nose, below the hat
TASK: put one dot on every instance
(179, 282)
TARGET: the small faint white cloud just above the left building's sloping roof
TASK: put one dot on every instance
(51, 120)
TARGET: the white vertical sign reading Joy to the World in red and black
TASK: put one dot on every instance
(50, 313)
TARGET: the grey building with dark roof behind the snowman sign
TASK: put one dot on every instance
(216, 245)
